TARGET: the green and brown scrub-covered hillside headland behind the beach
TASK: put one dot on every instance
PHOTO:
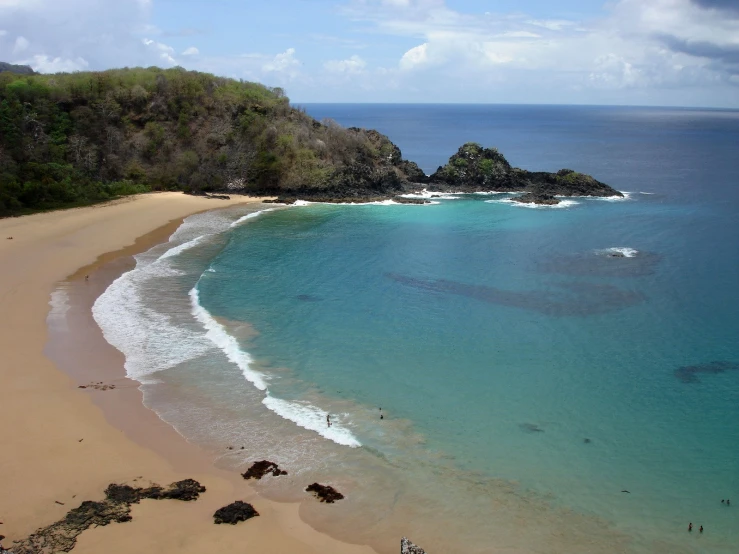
(73, 139)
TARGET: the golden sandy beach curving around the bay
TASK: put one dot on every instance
(59, 447)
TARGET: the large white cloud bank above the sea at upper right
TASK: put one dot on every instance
(661, 45)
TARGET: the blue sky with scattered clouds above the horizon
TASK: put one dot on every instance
(615, 52)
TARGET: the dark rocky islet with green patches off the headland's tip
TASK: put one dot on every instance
(477, 169)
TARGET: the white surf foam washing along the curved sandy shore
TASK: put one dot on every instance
(152, 340)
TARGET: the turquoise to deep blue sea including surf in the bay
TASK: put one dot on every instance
(536, 392)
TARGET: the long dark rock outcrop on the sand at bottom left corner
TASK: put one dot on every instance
(62, 535)
